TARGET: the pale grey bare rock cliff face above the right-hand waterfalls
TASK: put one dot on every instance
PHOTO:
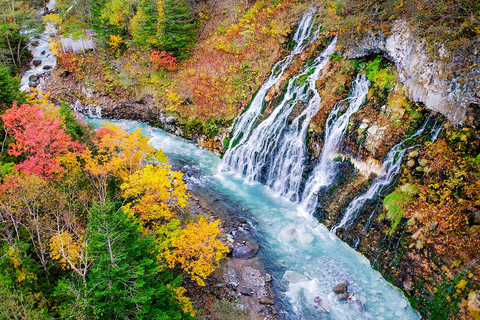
(433, 82)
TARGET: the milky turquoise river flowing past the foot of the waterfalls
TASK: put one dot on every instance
(306, 260)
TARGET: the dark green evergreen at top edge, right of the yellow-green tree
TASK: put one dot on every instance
(179, 32)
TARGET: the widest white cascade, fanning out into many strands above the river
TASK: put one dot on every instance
(276, 147)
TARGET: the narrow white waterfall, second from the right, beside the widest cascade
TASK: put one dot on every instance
(335, 129)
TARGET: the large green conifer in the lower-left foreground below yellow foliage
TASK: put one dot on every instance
(124, 281)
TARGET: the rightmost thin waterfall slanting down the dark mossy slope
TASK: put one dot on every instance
(392, 162)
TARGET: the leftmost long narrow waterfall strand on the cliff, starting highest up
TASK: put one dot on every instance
(248, 119)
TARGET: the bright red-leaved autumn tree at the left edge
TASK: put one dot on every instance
(39, 139)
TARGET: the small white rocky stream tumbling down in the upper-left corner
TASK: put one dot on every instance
(40, 52)
